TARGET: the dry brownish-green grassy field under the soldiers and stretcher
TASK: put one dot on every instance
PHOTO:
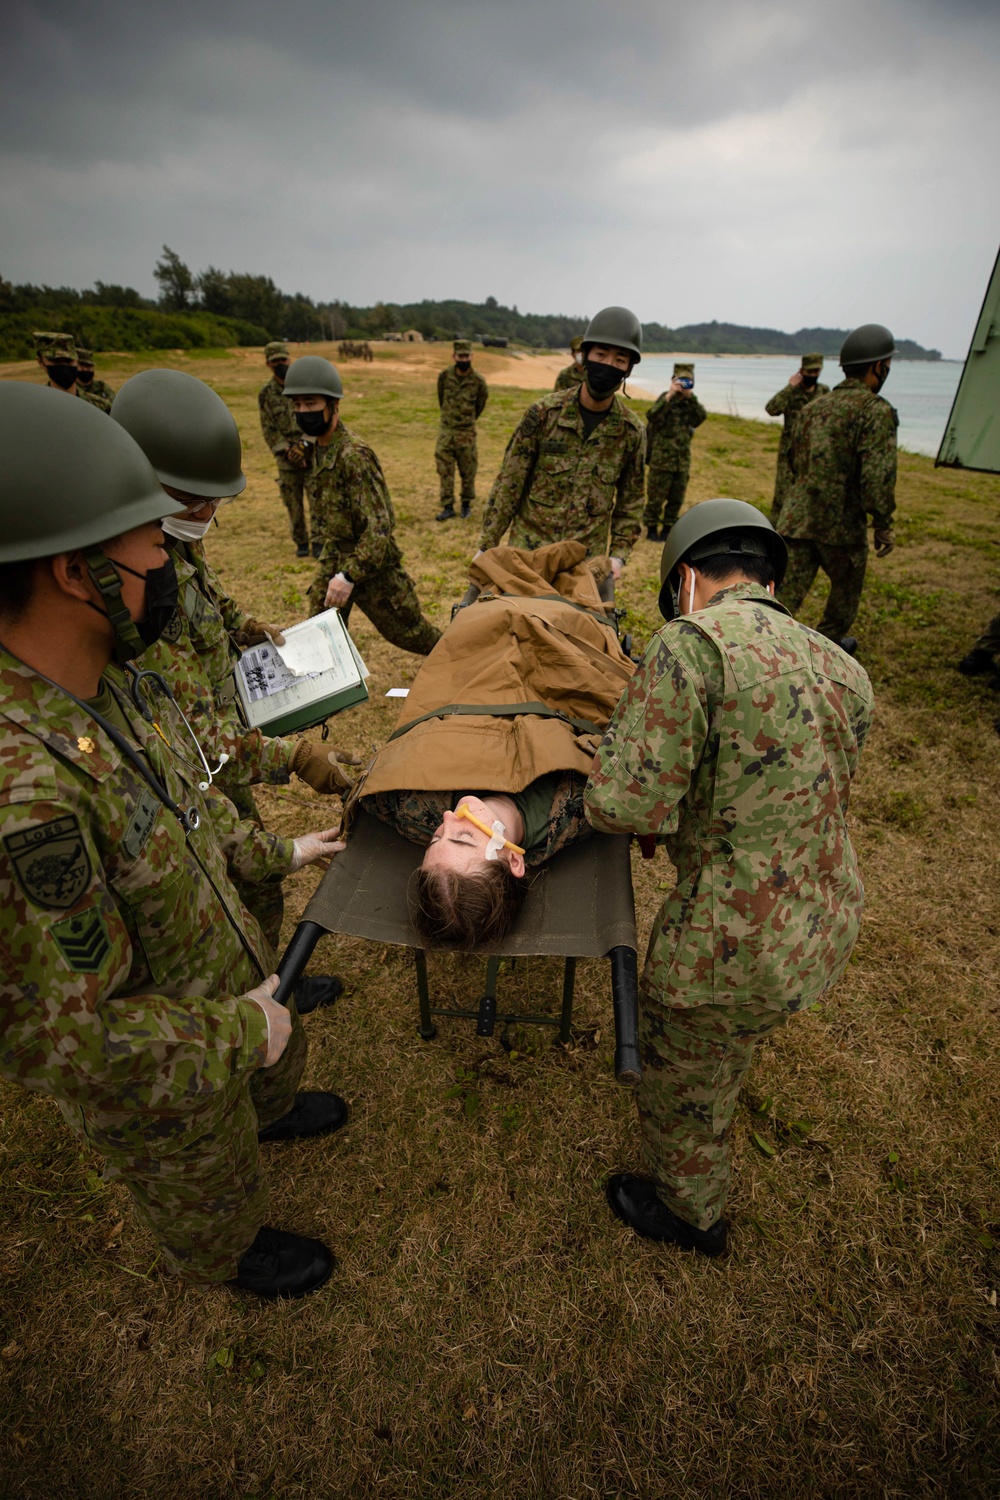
(491, 1328)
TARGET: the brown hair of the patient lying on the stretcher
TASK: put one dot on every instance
(467, 911)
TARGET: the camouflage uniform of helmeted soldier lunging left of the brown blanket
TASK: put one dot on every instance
(353, 514)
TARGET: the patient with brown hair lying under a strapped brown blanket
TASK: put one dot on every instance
(496, 743)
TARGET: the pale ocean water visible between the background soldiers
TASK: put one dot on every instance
(921, 391)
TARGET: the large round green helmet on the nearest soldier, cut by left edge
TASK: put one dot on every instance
(70, 479)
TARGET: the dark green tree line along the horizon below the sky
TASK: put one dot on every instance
(215, 308)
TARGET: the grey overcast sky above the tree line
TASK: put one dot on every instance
(780, 163)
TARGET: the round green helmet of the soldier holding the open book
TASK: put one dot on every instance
(187, 431)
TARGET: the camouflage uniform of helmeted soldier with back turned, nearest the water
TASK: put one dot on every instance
(845, 464)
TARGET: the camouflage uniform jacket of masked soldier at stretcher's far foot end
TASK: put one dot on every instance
(557, 485)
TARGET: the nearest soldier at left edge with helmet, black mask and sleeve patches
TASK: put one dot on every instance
(137, 988)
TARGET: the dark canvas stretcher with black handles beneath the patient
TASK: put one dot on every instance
(579, 905)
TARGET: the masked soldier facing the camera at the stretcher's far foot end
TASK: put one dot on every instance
(573, 469)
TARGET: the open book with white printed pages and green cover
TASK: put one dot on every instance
(317, 673)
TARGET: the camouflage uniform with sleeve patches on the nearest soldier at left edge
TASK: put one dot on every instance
(128, 962)
